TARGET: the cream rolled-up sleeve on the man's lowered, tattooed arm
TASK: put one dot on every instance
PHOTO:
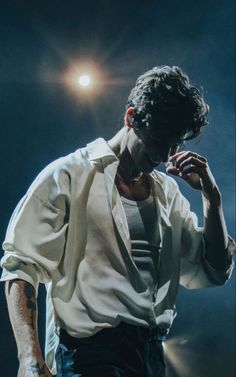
(34, 242)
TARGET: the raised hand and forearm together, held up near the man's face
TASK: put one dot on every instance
(194, 169)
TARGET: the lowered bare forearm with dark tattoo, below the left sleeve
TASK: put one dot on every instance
(22, 306)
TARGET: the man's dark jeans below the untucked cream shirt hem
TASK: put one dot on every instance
(123, 351)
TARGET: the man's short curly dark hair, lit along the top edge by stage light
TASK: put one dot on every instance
(167, 104)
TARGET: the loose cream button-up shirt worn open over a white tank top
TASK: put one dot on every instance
(70, 232)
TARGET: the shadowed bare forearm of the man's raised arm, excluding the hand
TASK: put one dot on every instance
(215, 231)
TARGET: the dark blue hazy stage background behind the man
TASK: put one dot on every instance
(43, 116)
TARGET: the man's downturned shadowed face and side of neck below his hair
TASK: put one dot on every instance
(148, 152)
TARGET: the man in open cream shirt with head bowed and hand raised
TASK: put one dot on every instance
(111, 238)
